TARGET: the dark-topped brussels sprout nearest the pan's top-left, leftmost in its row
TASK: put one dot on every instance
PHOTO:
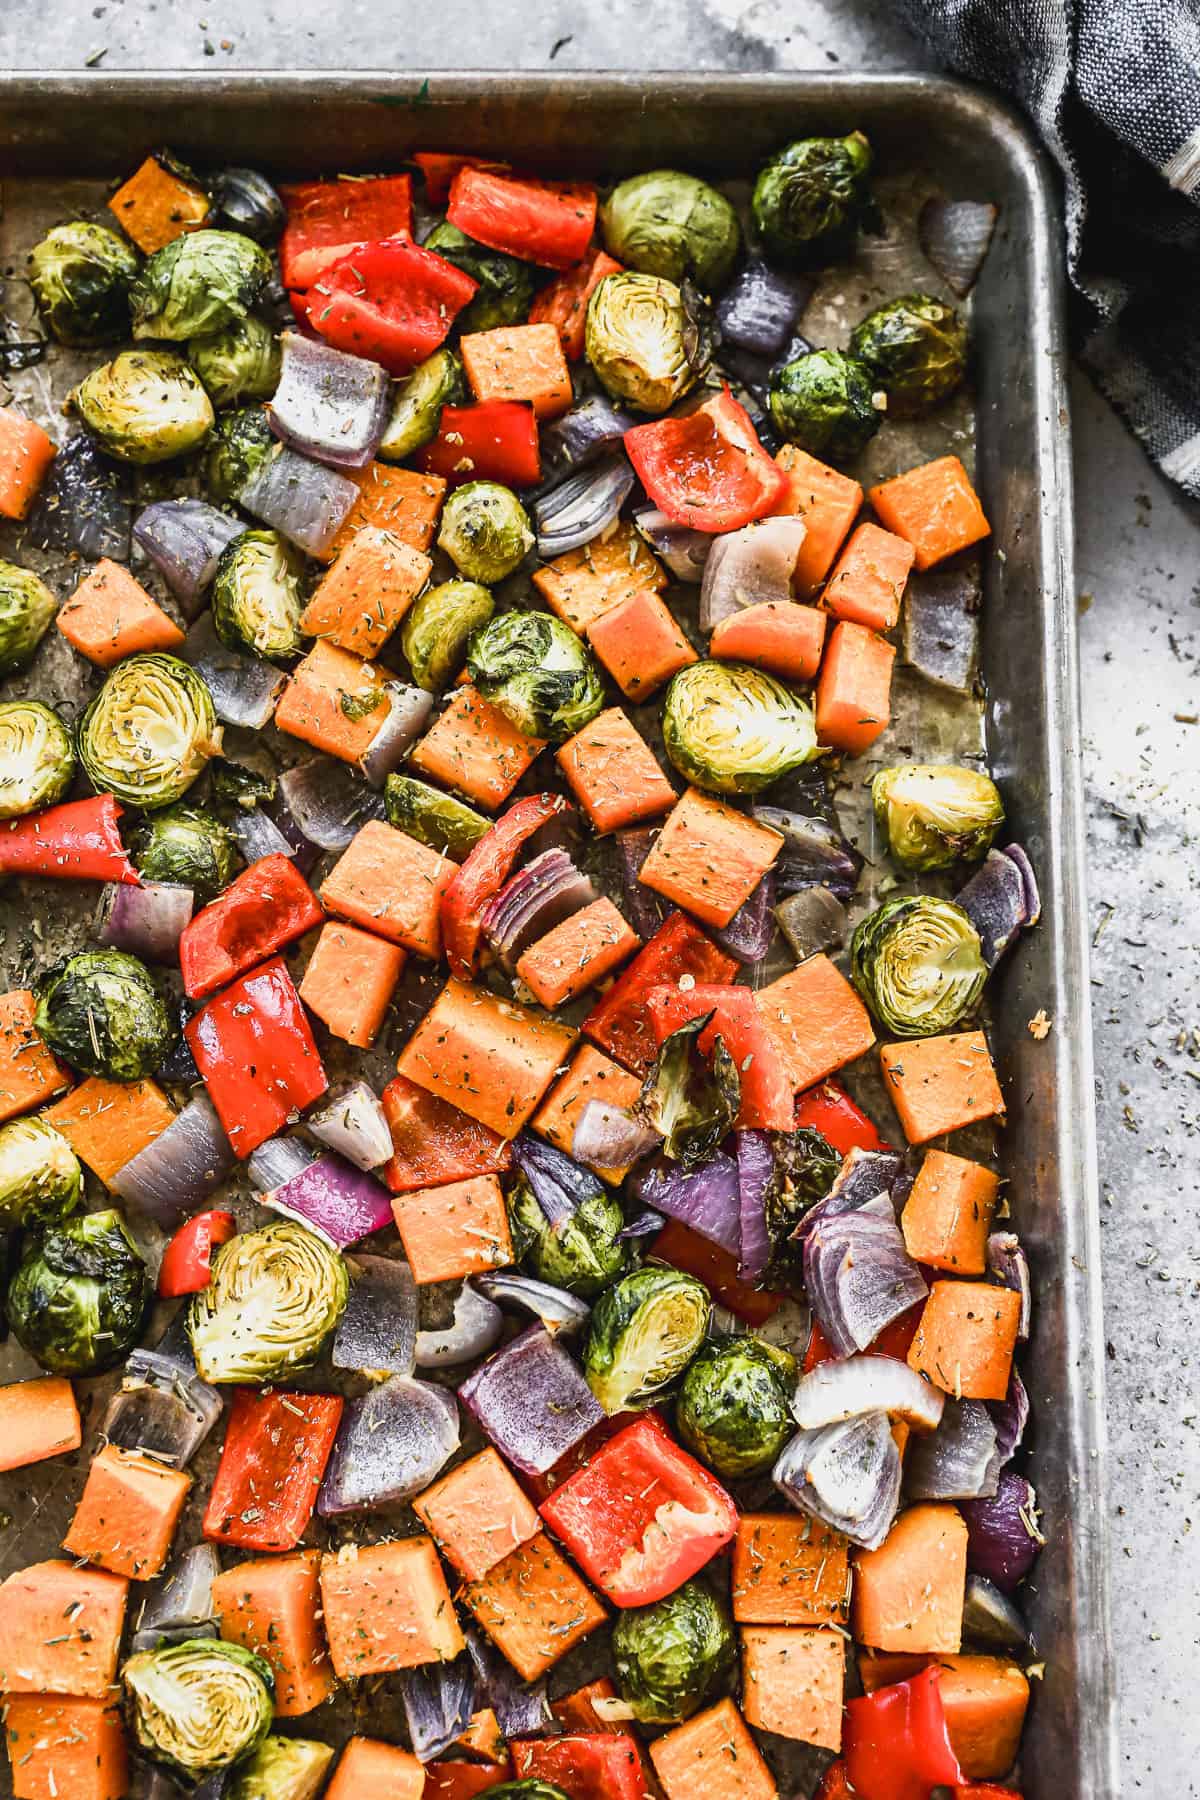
(82, 278)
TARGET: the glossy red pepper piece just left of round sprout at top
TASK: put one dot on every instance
(542, 222)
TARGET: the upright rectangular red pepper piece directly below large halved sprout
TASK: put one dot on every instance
(273, 1464)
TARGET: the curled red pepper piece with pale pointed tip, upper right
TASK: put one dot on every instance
(708, 469)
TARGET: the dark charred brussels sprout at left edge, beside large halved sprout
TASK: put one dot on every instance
(80, 1295)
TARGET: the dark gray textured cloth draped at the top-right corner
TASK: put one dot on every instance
(1115, 93)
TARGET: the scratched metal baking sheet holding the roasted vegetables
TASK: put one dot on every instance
(66, 138)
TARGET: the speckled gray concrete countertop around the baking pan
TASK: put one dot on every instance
(1140, 633)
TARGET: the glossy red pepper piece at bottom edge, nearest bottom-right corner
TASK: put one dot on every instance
(897, 1745)
